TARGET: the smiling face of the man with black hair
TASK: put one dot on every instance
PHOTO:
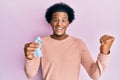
(59, 23)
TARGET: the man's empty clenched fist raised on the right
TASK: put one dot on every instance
(106, 43)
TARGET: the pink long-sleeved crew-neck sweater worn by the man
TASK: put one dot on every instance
(62, 59)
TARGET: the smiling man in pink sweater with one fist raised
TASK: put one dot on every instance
(63, 54)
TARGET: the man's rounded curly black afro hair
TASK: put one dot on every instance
(60, 7)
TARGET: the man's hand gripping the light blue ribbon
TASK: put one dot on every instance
(29, 49)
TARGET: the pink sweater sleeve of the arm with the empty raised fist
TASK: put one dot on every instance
(93, 68)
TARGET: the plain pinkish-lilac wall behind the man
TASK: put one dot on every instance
(22, 20)
